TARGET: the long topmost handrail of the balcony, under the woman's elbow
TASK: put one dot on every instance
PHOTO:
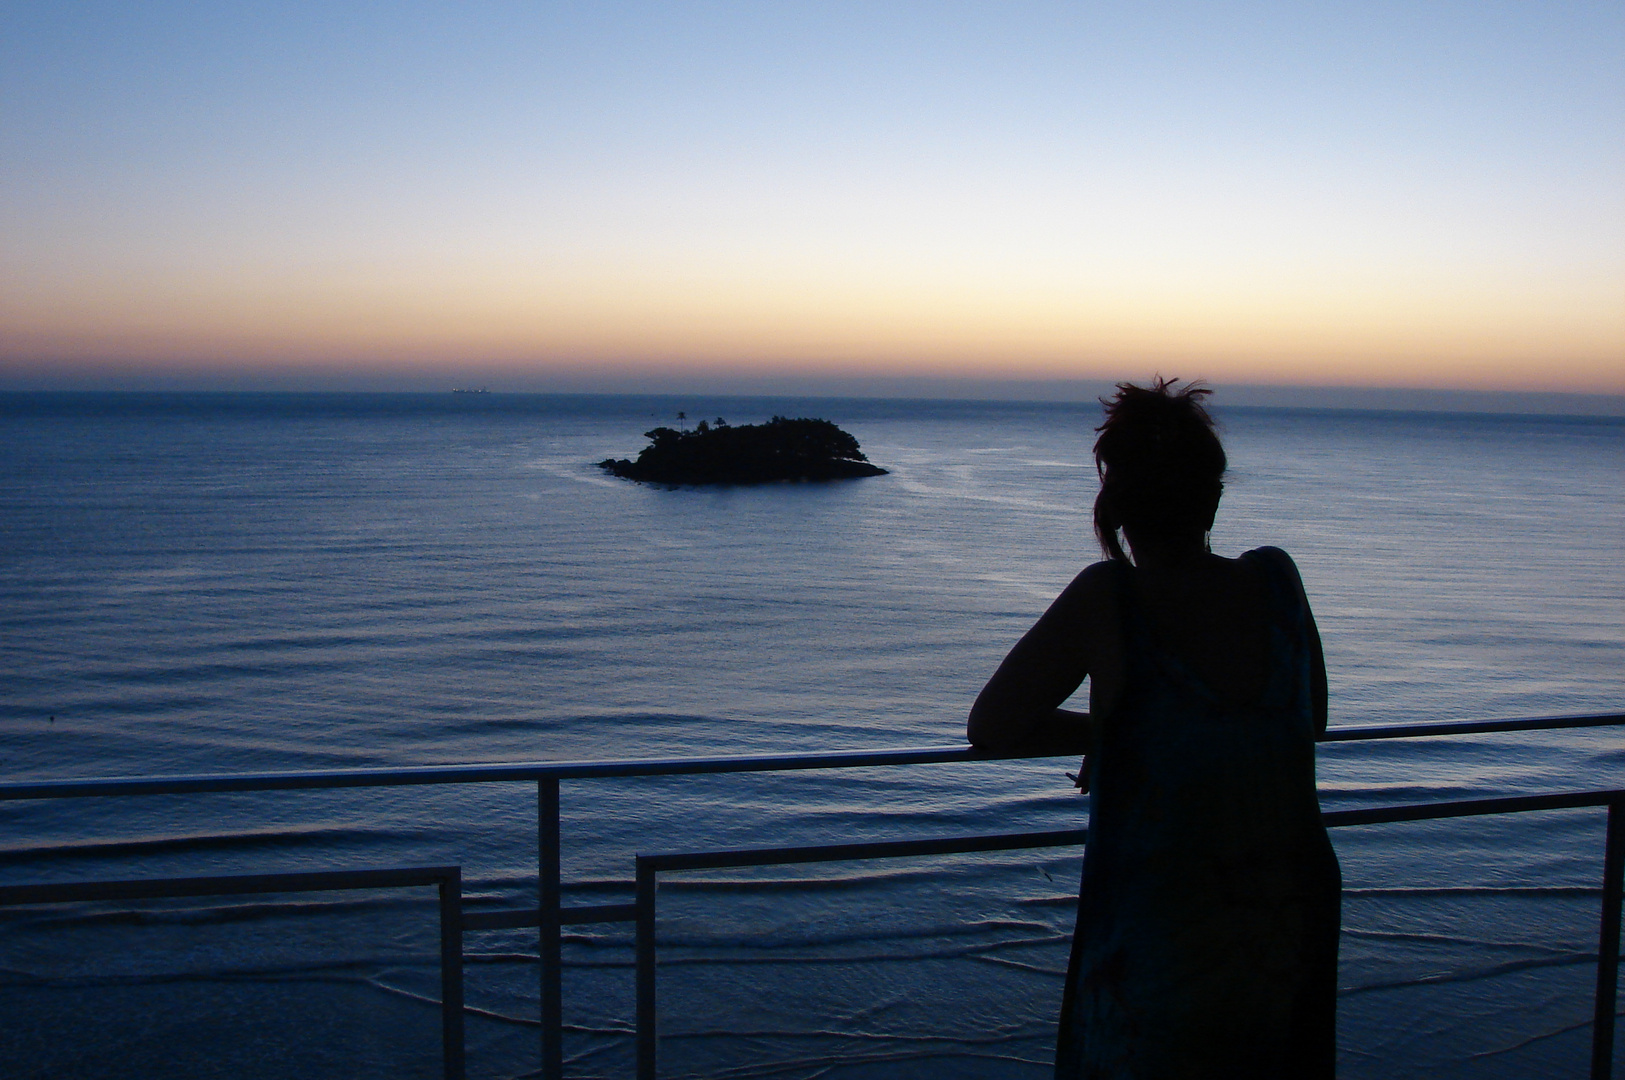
(667, 767)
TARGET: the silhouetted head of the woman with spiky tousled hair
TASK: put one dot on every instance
(1159, 462)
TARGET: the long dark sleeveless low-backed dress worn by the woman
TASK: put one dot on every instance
(1208, 918)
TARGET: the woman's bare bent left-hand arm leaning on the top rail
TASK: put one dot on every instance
(1021, 706)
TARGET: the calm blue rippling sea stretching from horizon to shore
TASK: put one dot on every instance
(277, 582)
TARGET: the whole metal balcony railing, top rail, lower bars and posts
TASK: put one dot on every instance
(550, 915)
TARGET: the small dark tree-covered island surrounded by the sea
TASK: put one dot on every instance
(750, 454)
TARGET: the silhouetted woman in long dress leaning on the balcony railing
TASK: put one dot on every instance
(1207, 940)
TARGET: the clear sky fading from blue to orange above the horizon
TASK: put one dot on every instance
(651, 196)
